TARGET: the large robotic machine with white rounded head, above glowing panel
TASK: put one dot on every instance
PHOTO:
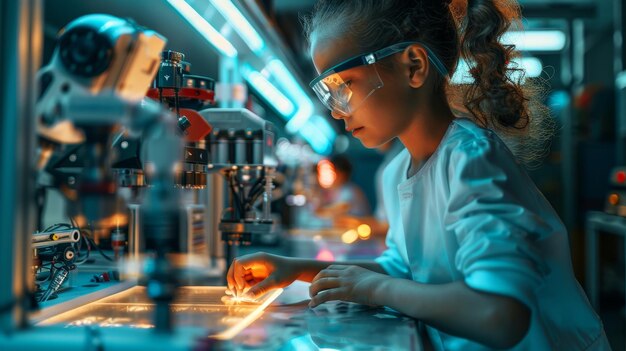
(125, 128)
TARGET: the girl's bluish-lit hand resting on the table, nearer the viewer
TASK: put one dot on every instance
(346, 283)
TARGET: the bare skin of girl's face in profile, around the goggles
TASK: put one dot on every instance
(388, 110)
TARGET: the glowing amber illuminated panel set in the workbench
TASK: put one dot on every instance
(195, 306)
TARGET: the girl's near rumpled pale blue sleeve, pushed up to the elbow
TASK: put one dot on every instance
(495, 230)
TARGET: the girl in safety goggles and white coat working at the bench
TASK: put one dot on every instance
(474, 250)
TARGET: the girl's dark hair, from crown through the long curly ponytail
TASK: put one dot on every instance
(499, 98)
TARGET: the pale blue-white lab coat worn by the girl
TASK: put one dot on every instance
(472, 213)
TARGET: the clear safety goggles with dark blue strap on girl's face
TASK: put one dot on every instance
(344, 90)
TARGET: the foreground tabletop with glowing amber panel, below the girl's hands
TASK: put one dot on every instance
(284, 321)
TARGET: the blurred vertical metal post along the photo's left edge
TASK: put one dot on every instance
(21, 43)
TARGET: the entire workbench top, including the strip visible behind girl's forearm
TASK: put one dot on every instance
(284, 323)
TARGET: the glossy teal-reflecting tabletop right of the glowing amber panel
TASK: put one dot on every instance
(289, 324)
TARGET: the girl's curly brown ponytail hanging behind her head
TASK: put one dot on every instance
(497, 99)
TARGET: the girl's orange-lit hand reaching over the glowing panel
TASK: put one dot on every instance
(251, 276)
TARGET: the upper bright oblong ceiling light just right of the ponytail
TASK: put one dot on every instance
(537, 40)
